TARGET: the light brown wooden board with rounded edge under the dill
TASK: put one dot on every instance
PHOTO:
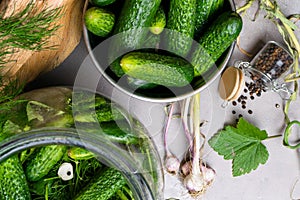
(26, 65)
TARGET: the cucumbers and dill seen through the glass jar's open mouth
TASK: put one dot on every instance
(36, 178)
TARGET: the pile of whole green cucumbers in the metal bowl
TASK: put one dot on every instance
(163, 43)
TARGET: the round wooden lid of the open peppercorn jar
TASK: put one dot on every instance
(230, 84)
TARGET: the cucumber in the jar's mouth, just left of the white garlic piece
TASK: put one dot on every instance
(43, 160)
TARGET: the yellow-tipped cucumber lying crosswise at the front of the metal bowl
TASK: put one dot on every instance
(158, 69)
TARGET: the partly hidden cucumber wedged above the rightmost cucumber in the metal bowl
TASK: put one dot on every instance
(205, 10)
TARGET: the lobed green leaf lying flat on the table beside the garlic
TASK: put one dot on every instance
(242, 145)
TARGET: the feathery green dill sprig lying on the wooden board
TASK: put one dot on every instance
(27, 29)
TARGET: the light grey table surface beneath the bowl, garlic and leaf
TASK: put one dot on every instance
(277, 179)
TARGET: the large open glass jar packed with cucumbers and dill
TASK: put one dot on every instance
(48, 113)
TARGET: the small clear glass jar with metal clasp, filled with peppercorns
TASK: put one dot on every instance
(267, 70)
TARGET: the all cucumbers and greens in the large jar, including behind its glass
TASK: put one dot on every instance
(33, 173)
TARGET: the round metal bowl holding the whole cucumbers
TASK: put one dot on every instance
(97, 47)
